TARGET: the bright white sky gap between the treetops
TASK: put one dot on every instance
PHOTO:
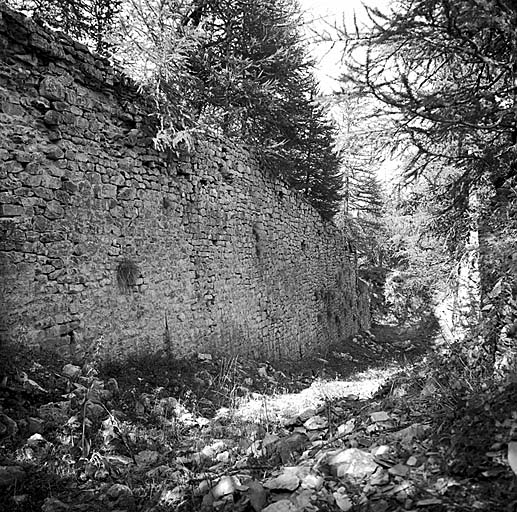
(326, 14)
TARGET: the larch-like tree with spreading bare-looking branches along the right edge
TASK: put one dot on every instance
(444, 72)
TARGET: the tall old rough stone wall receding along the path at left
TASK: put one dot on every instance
(108, 243)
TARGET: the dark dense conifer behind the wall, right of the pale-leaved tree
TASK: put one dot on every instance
(255, 83)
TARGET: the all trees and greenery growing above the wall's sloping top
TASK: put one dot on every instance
(236, 68)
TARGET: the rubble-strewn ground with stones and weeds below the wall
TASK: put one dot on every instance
(377, 424)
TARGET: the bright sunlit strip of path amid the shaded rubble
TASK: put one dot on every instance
(278, 408)
